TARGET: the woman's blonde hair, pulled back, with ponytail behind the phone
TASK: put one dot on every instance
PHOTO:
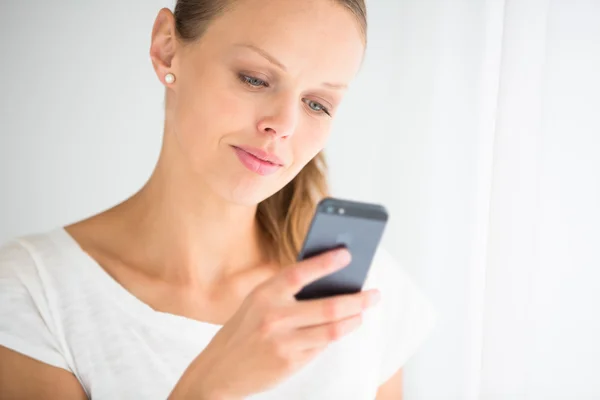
(285, 216)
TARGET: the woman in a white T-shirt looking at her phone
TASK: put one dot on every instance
(185, 290)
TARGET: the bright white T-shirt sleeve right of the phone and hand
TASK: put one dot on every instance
(408, 316)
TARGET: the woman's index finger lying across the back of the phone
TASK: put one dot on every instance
(293, 278)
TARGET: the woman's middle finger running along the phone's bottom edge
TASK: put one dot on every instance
(308, 313)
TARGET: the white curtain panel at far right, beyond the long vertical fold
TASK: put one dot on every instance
(540, 304)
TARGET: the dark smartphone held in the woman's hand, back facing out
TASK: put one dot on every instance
(339, 223)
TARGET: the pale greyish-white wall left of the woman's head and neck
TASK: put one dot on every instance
(80, 115)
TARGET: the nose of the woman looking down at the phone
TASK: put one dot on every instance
(282, 120)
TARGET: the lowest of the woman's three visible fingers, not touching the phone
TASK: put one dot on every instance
(317, 337)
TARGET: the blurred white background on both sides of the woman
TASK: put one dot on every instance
(476, 122)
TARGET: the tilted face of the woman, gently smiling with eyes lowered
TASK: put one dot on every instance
(267, 76)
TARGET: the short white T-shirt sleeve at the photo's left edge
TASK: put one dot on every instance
(24, 313)
